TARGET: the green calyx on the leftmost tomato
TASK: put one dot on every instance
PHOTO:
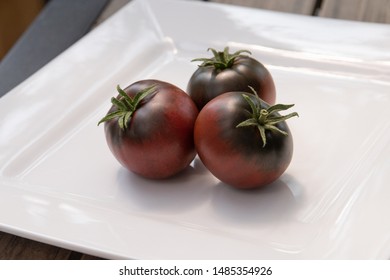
(126, 106)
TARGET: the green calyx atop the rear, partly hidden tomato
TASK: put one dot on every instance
(221, 60)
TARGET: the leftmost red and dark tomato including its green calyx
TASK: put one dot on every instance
(149, 128)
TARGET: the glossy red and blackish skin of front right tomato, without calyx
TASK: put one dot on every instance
(236, 156)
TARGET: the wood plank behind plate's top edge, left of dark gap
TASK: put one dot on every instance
(305, 7)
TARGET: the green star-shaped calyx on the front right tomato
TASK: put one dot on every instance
(266, 118)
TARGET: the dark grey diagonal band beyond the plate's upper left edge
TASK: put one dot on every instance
(58, 26)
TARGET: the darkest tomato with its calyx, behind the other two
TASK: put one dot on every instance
(230, 72)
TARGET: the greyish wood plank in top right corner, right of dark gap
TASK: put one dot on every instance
(359, 10)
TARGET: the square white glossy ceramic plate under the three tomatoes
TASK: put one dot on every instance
(59, 183)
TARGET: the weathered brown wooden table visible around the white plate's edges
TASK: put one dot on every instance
(14, 247)
